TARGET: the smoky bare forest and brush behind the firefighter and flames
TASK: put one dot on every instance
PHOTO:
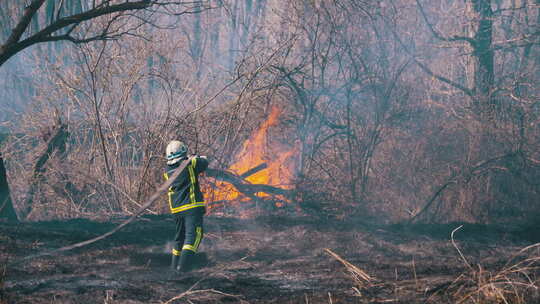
(397, 110)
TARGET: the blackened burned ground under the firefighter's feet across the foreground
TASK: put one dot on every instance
(273, 259)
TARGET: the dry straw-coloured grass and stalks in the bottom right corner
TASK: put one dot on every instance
(515, 282)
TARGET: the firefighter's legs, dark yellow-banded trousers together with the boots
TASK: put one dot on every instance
(187, 238)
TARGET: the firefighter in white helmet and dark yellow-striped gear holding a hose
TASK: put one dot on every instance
(186, 203)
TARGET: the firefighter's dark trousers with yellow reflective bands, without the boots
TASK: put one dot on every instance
(189, 231)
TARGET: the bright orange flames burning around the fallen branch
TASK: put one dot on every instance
(257, 151)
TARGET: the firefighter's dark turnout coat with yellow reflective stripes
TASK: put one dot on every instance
(185, 193)
